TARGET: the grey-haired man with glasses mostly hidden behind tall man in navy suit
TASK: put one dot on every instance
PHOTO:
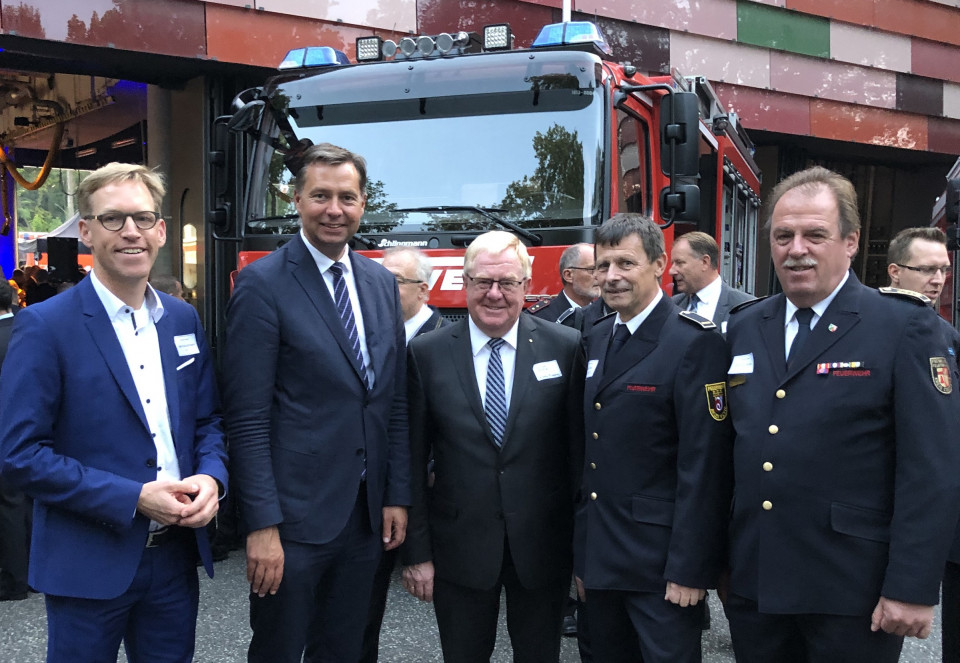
(412, 270)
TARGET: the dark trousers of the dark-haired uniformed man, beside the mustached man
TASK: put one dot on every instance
(630, 627)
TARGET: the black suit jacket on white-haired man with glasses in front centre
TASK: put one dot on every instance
(524, 491)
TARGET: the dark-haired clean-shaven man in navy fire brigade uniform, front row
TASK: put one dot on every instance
(657, 478)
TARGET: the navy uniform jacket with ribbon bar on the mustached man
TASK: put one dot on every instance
(846, 475)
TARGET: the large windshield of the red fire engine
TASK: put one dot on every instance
(449, 143)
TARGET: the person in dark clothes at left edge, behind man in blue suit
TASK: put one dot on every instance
(14, 510)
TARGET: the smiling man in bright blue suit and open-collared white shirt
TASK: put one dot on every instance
(111, 425)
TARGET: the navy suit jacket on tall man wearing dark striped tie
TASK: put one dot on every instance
(298, 416)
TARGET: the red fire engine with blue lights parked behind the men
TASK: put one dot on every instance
(462, 134)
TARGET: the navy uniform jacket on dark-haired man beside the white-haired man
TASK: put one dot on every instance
(656, 486)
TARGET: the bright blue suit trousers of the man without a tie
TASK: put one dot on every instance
(156, 617)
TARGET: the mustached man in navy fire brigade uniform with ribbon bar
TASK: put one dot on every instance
(846, 482)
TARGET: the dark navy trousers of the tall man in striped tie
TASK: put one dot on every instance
(320, 610)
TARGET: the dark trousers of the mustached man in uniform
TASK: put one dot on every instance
(807, 638)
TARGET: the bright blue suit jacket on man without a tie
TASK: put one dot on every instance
(73, 436)
